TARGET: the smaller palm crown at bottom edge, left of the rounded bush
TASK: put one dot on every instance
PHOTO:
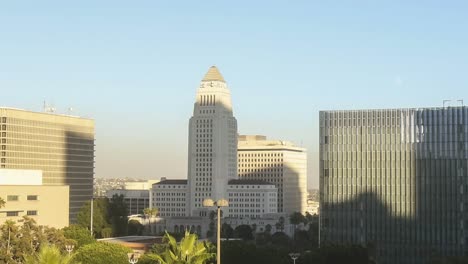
(49, 254)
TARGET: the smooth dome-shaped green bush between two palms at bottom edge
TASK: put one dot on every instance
(101, 252)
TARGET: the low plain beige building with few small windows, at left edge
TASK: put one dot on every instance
(47, 204)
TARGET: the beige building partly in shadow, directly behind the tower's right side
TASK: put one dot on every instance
(277, 162)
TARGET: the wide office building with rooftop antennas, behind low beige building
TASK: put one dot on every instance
(60, 146)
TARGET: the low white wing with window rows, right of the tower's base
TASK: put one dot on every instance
(251, 198)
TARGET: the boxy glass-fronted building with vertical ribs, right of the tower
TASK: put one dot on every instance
(395, 180)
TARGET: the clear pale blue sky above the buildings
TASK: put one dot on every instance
(134, 66)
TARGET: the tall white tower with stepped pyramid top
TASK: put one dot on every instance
(212, 157)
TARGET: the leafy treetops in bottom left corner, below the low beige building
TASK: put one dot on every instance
(18, 242)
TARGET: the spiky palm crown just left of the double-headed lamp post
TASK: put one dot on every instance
(188, 251)
